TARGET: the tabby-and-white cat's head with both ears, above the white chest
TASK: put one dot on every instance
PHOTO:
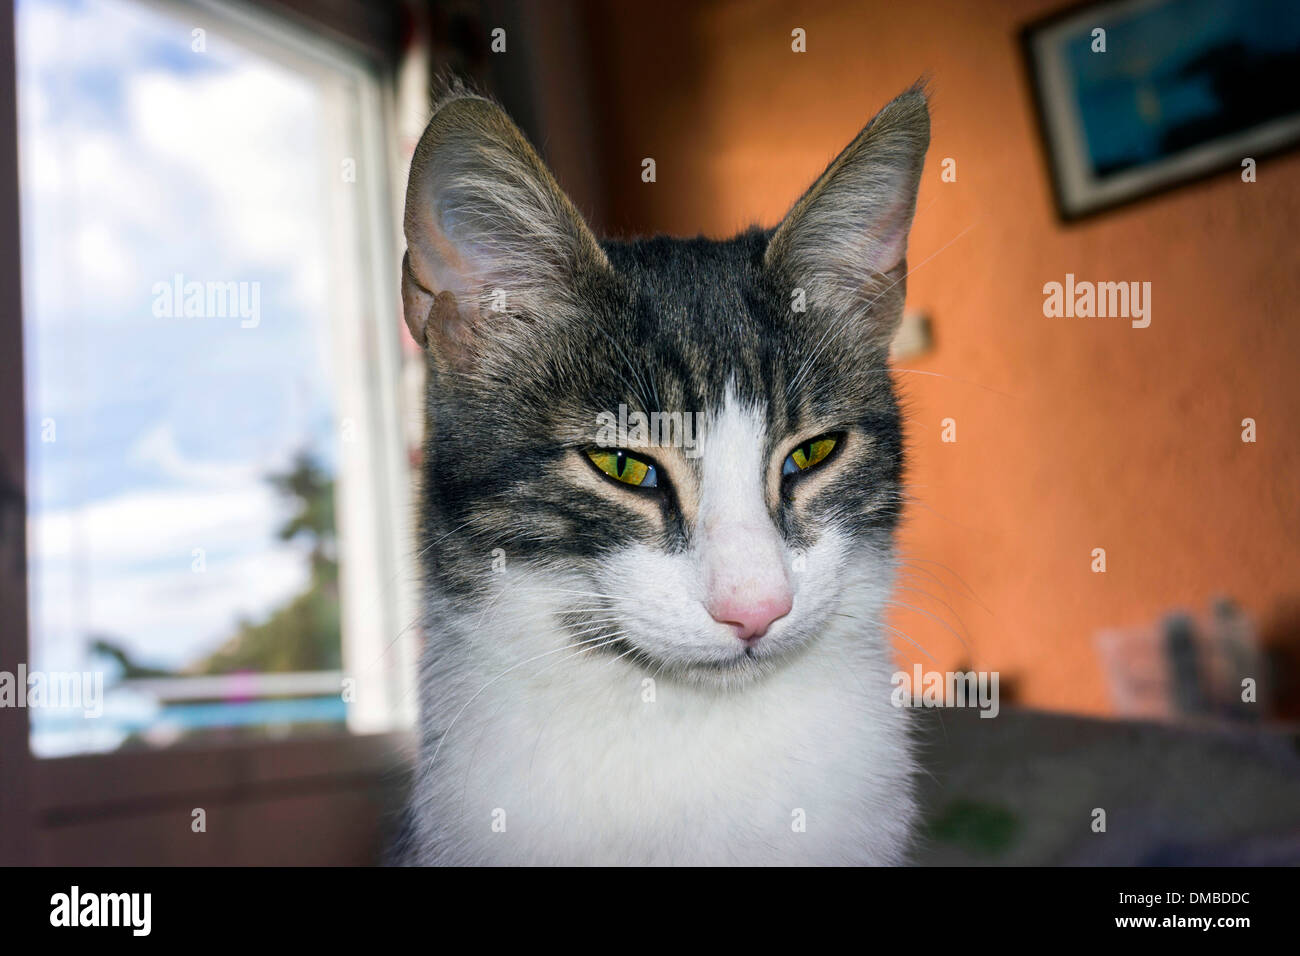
(683, 451)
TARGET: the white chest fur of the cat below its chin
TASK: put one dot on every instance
(593, 762)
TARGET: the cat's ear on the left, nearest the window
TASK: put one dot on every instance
(493, 244)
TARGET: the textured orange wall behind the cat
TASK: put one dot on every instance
(1073, 434)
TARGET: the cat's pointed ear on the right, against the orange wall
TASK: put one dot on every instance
(846, 241)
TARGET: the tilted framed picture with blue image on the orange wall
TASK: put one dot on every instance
(1139, 96)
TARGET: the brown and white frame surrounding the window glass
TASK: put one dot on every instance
(94, 793)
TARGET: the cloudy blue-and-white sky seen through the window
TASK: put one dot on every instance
(142, 159)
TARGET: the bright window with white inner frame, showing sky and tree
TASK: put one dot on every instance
(218, 508)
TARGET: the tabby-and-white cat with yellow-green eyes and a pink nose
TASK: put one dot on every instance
(668, 652)
